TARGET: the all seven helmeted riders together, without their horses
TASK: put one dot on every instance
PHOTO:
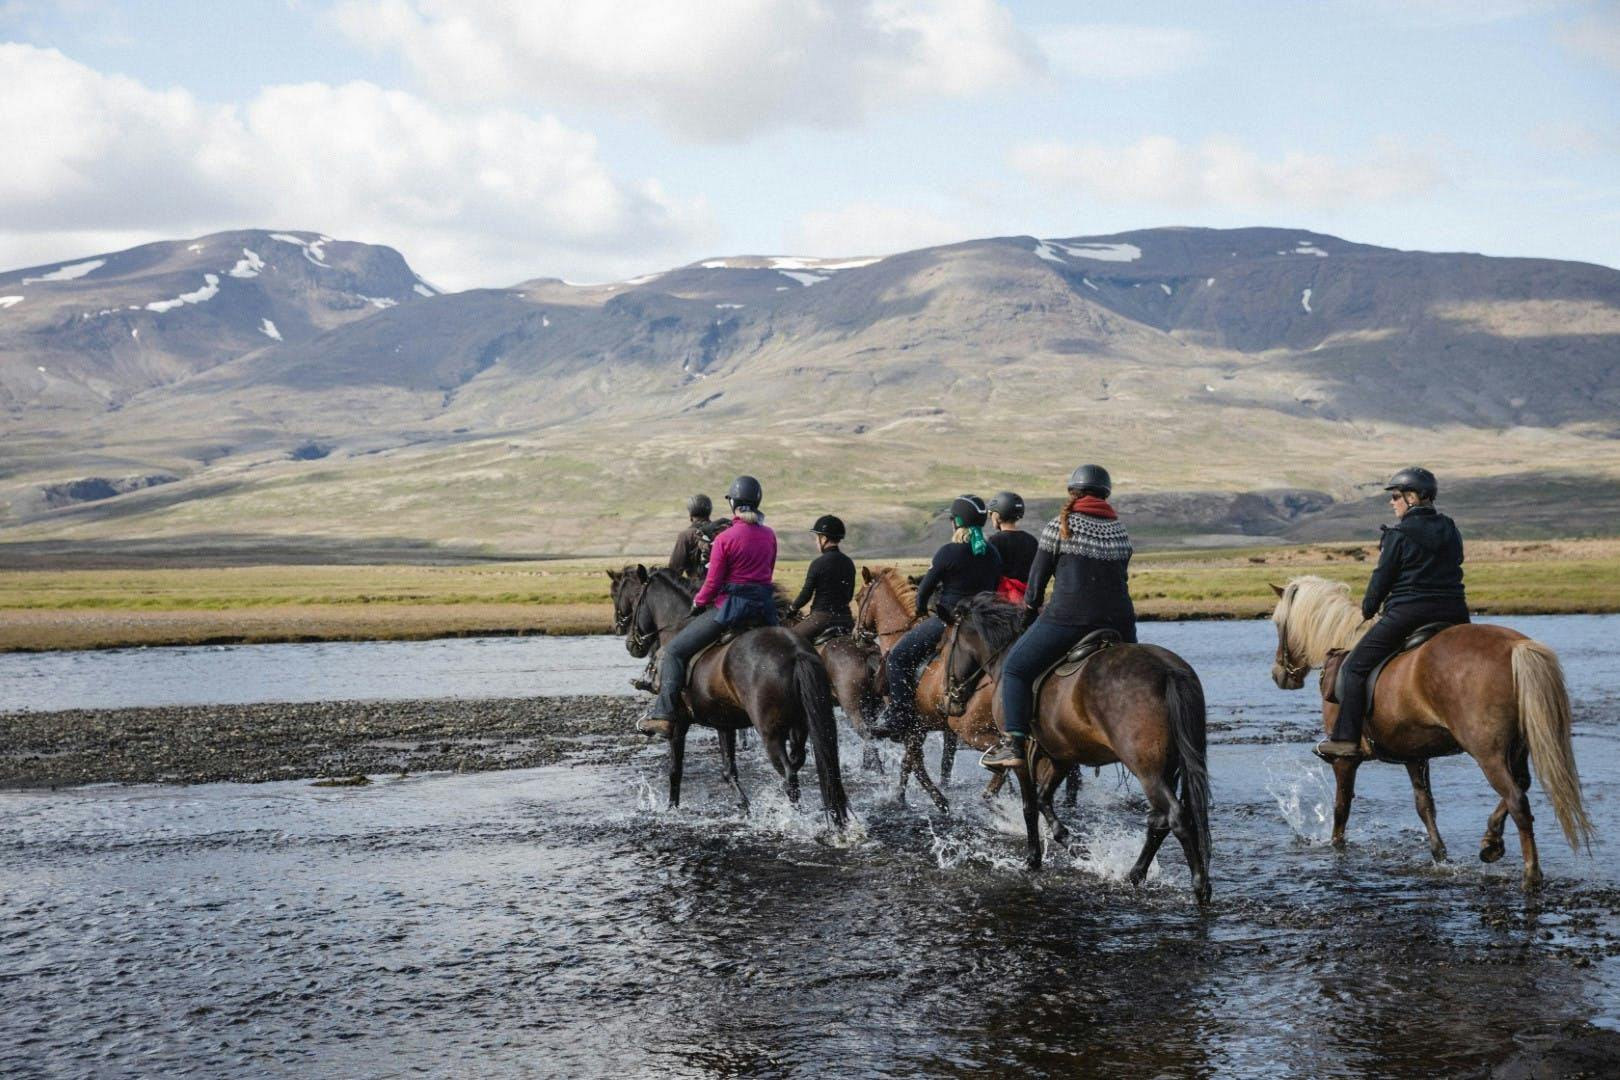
(1081, 556)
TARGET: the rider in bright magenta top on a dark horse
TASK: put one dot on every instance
(741, 568)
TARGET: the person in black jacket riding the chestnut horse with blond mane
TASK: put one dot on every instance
(1418, 582)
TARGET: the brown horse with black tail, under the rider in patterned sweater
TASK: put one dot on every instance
(1138, 705)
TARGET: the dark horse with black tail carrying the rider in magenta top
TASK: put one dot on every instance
(767, 679)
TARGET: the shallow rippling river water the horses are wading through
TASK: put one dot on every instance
(561, 922)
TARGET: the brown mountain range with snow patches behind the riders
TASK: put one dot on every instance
(286, 388)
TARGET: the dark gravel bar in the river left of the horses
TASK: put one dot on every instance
(323, 739)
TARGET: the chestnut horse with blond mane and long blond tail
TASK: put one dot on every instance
(1483, 691)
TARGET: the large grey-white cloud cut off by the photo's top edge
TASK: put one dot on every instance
(717, 70)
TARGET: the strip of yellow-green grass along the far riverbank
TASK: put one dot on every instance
(87, 610)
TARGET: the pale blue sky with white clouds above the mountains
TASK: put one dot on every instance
(498, 142)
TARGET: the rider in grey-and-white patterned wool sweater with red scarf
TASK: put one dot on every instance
(1085, 553)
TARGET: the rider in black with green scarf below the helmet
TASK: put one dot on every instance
(963, 568)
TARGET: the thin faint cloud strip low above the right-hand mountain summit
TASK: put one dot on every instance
(1224, 174)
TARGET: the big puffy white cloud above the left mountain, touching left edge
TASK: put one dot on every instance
(471, 198)
